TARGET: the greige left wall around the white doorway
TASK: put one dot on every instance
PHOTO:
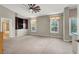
(6, 13)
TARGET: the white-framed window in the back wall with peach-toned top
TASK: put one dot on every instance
(54, 24)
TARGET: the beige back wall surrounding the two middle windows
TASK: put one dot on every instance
(43, 27)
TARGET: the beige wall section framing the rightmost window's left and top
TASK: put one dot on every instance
(68, 12)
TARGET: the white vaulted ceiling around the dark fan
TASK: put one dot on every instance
(46, 9)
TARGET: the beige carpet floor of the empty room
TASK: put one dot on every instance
(36, 45)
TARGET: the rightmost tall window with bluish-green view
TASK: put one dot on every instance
(72, 26)
